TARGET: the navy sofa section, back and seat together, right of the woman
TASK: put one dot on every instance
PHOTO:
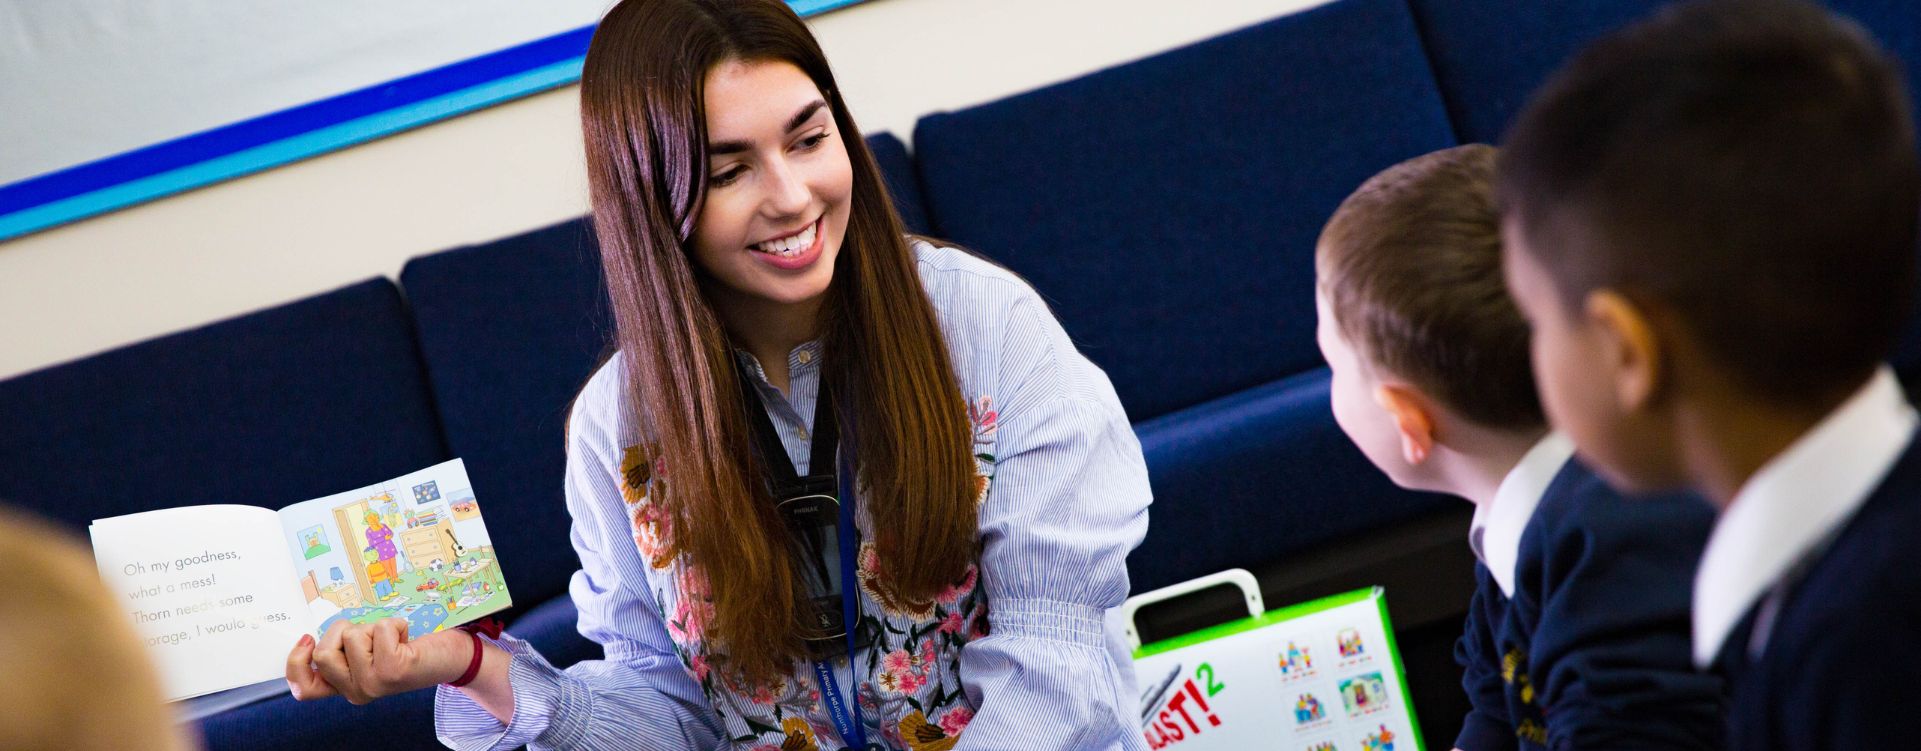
(1175, 237)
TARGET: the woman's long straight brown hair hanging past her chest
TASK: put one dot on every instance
(885, 356)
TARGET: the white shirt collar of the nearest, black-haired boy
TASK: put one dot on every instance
(1795, 502)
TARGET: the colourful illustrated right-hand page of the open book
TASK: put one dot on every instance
(408, 548)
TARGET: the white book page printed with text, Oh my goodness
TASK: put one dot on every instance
(208, 591)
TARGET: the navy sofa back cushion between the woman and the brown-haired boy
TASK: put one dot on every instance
(1169, 208)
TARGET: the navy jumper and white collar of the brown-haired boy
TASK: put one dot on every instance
(1578, 635)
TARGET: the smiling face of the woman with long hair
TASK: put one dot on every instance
(779, 187)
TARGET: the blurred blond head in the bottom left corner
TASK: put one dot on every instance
(76, 673)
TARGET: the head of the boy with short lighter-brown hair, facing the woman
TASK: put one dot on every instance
(1415, 320)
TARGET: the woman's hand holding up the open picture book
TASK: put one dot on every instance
(372, 662)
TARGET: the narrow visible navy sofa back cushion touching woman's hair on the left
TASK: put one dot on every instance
(512, 331)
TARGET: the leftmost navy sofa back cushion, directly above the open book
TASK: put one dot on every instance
(272, 408)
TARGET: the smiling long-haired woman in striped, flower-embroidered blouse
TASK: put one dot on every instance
(825, 450)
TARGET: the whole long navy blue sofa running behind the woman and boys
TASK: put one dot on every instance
(1167, 208)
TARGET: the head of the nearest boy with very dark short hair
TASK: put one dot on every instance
(1711, 210)
